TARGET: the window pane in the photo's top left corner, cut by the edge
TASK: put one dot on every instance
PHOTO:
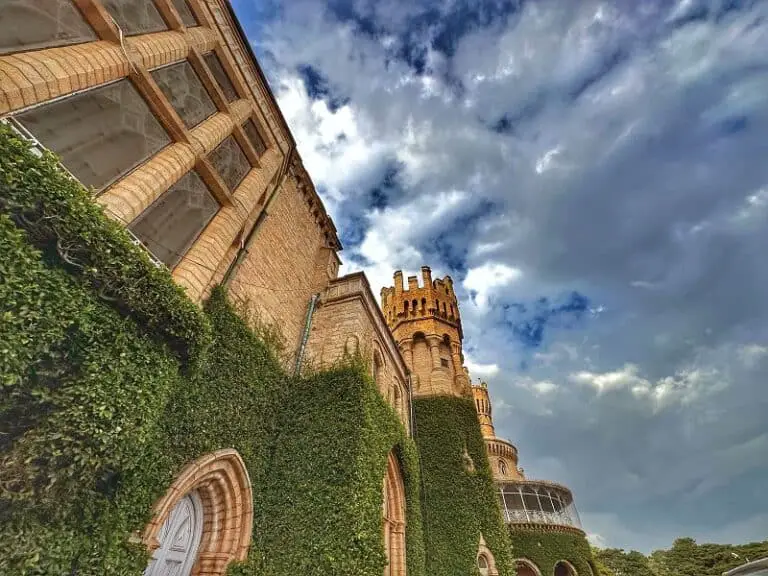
(34, 24)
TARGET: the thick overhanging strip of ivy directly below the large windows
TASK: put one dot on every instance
(63, 221)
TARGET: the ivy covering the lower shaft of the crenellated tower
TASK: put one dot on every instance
(458, 504)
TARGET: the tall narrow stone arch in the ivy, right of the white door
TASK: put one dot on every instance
(393, 511)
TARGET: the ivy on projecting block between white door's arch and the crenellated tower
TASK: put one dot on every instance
(320, 508)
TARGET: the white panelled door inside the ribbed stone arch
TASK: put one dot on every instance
(179, 538)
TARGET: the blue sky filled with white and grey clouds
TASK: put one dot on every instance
(594, 178)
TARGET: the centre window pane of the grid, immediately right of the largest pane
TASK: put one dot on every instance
(186, 92)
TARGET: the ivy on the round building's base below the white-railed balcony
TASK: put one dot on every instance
(546, 549)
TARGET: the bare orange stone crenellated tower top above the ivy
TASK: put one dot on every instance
(426, 325)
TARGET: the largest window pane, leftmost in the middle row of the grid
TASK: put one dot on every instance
(99, 134)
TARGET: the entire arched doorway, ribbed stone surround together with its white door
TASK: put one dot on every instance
(204, 521)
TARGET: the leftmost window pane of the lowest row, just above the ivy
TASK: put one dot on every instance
(169, 227)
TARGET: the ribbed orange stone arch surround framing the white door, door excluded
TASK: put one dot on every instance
(221, 483)
